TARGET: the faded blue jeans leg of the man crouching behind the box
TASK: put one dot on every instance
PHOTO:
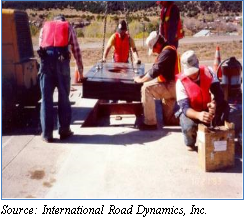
(189, 129)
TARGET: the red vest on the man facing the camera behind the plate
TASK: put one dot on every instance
(121, 48)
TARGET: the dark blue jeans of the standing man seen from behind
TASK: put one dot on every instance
(54, 73)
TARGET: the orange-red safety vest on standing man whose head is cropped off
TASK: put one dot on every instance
(165, 24)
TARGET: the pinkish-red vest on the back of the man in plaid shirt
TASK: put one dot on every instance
(55, 34)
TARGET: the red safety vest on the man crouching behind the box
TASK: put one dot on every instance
(199, 96)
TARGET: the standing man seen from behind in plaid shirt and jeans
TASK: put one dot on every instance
(57, 37)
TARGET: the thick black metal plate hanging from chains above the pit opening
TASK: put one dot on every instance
(115, 81)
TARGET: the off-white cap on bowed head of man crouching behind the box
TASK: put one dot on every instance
(189, 62)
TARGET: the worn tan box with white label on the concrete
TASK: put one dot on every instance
(216, 147)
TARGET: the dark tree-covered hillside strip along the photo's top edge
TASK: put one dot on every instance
(188, 8)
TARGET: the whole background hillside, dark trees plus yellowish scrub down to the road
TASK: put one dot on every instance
(87, 16)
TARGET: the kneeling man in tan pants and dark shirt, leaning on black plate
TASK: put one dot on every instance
(159, 81)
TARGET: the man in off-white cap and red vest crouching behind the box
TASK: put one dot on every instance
(199, 98)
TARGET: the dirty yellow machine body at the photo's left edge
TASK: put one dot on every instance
(19, 67)
